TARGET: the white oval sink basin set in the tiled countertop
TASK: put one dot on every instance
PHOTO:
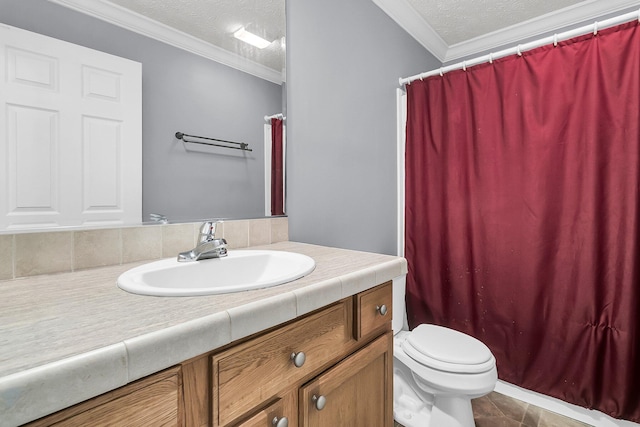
(240, 270)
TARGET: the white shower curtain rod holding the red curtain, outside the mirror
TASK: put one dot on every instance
(527, 46)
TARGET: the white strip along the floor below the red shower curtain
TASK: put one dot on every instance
(595, 418)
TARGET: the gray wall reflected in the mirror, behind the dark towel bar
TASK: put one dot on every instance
(181, 92)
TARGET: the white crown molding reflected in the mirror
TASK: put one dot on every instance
(140, 24)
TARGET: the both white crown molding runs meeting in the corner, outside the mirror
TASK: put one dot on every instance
(408, 19)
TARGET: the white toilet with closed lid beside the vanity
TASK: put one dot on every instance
(436, 371)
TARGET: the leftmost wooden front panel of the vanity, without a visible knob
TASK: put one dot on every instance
(151, 401)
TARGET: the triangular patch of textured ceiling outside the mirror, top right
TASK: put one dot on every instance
(457, 21)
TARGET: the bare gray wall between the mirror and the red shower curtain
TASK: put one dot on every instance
(344, 58)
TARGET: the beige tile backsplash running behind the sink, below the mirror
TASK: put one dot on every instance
(34, 253)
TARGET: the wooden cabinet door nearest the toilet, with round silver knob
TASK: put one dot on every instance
(356, 392)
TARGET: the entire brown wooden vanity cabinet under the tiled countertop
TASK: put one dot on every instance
(332, 367)
